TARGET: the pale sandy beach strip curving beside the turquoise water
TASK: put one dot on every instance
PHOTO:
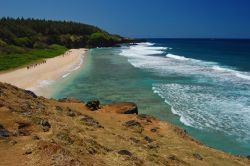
(37, 77)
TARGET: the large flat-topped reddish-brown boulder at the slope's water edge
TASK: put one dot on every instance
(121, 108)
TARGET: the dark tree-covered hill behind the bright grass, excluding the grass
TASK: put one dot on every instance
(35, 33)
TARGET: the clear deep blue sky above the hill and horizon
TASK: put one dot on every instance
(144, 18)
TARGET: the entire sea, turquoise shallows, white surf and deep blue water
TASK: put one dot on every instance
(201, 85)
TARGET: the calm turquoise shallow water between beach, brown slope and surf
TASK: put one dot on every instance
(137, 87)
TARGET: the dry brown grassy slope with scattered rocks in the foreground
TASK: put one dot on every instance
(68, 132)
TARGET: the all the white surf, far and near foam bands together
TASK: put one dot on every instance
(215, 106)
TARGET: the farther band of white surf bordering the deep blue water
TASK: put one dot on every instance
(141, 56)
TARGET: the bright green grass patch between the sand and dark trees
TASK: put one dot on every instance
(28, 56)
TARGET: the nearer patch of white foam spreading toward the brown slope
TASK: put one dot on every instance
(208, 108)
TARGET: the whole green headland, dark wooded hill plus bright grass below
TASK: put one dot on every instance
(23, 41)
